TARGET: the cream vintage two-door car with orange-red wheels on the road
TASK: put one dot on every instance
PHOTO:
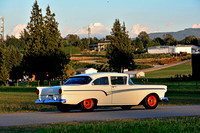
(88, 91)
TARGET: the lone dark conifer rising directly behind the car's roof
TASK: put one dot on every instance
(119, 52)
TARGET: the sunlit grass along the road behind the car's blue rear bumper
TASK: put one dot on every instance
(21, 102)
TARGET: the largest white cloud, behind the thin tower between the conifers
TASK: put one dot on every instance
(97, 29)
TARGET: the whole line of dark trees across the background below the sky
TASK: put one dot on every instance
(40, 48)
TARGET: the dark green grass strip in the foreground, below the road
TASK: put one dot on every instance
(155, 125)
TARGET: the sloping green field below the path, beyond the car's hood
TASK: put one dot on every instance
(169, 72)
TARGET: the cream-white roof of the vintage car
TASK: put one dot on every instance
(102, 74)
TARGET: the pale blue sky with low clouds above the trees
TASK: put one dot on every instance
(74, 16)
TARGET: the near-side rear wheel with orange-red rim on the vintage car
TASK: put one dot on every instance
(88, 105)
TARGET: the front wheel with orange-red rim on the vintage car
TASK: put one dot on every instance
(151, 101)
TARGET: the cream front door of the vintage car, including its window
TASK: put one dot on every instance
(121, 94)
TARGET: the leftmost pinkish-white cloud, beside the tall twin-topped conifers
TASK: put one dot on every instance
(17, 30)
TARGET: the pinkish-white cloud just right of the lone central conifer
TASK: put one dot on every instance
(137, 28)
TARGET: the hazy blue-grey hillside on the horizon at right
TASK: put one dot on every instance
(179, 35)
